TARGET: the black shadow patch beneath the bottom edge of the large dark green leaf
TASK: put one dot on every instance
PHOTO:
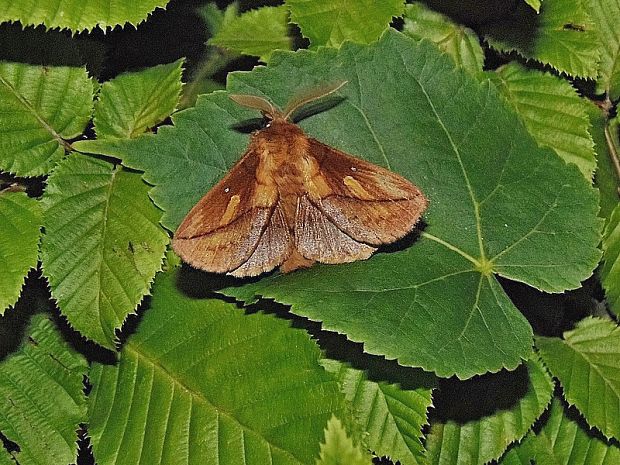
(480, 396)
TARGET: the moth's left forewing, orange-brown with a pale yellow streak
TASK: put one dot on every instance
(222, 231)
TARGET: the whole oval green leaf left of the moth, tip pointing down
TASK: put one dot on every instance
(102, 244)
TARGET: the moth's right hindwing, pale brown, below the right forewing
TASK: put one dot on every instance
(318, 238)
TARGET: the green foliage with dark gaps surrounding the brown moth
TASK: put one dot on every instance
(489, 335)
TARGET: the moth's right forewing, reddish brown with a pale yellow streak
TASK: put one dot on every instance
(370, 204)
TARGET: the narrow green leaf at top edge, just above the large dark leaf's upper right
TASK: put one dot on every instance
(458, 41)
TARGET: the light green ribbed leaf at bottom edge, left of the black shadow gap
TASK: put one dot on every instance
(393, 416)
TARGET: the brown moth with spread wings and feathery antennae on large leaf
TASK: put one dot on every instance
(292, 201)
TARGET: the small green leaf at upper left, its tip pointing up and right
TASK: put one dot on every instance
(132, 103)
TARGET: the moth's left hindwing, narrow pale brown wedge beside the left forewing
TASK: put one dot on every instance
(273, 248)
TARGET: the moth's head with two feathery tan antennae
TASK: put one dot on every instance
(274, 114)
